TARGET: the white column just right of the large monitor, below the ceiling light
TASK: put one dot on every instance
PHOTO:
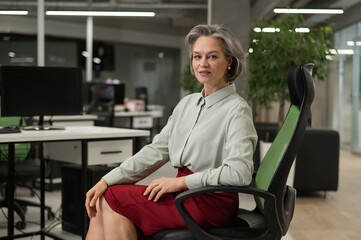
(89, 49)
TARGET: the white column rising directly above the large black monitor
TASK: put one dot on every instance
(41, 35)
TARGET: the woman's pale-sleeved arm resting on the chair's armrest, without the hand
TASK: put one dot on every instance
(237, 166)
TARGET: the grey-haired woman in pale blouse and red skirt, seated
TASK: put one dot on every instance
(210, 138)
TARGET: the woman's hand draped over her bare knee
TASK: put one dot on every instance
(93, 195)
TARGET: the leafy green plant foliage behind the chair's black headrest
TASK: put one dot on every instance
(273, 54)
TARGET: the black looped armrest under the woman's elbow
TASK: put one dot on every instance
(270, 212)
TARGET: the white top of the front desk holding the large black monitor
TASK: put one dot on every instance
(72, 133)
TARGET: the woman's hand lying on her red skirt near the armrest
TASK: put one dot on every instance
(163, 185)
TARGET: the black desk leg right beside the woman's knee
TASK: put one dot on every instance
(83, 184)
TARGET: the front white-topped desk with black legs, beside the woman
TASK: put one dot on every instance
(87, 135)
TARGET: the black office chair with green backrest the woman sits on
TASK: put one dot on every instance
(275, 201)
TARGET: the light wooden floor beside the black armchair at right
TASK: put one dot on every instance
(336, 217)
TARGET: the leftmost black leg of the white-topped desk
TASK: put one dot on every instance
(10, 189)
